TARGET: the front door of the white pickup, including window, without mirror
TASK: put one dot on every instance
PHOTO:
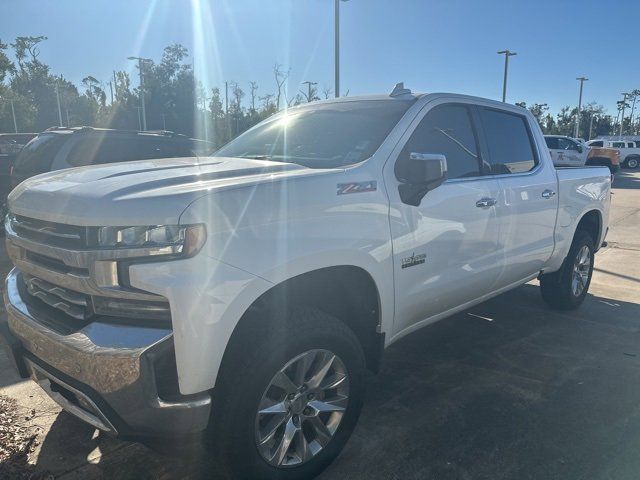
(446, 248)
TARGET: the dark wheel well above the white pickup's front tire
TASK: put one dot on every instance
(345, 291)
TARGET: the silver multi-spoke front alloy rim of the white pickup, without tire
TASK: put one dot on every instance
(302, 408)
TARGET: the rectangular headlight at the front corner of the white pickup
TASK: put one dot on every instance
(164, 239)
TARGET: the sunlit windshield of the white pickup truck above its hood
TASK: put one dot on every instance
(322, 136)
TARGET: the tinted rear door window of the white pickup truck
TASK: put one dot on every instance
(509, 142)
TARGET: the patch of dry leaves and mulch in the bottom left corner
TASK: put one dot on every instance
(17, 442)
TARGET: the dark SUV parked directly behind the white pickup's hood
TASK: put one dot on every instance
(60, 147)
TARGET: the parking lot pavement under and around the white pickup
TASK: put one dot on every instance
(508, 389)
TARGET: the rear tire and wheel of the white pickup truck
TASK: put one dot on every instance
(566, 289)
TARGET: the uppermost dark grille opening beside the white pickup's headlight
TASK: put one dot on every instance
(51, 233)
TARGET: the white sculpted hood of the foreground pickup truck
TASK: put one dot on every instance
(151, 192)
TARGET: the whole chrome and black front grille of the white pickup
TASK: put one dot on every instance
(57, 267)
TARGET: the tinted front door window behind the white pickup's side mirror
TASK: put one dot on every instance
(447, 130)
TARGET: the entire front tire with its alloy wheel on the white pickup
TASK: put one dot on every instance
(251, 381)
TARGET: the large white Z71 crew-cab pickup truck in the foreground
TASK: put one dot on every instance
(244, 295)
